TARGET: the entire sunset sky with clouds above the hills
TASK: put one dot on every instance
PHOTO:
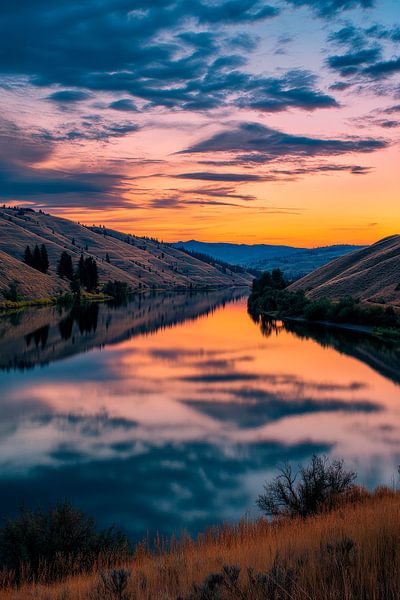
(216, 120)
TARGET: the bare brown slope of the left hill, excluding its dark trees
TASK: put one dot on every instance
(140, 262)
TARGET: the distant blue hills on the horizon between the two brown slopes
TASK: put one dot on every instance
(294, 262)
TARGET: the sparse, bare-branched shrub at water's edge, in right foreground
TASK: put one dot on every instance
(308, 490)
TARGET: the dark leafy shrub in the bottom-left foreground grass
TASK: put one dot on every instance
(50, 545)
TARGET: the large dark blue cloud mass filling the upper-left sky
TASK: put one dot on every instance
(155, 54)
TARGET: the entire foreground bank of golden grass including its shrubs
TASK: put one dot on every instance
(324, 538)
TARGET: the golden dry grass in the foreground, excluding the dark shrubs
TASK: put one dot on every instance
(313, 547)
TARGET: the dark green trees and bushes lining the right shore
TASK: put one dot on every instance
(270, 297)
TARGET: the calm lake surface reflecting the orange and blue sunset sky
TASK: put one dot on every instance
(171, 412)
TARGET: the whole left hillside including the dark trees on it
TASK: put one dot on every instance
(42, 255)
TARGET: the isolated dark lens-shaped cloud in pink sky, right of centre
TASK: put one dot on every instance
(270, 144)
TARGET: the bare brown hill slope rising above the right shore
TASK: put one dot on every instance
(370, 274)
